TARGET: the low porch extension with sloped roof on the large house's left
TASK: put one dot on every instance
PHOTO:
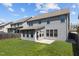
(31, 33)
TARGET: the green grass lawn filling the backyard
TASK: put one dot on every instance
(19, 47)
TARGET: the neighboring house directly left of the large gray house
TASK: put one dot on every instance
(15, 26)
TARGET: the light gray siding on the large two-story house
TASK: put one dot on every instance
(55, 23)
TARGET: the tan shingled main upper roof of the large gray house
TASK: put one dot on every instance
(50, 14)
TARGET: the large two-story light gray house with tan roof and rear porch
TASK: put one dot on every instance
(53, 25)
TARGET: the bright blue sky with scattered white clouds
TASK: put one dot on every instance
(15, 11)
